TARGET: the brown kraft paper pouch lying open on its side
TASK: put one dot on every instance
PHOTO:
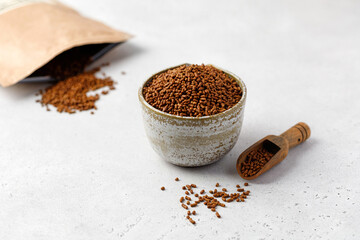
(36, 31)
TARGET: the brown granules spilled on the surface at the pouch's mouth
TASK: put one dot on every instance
(71, 94)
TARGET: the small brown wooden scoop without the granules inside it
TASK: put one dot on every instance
(277, 145)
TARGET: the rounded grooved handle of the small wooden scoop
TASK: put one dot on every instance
(297, 134)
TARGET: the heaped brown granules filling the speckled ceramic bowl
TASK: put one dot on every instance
(192, 91)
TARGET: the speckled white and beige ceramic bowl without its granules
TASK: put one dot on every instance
(193, 141)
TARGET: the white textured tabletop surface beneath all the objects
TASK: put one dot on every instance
(95, 176)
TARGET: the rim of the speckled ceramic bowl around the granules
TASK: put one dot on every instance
(238, 79)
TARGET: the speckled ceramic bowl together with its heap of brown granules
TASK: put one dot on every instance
(193, 113)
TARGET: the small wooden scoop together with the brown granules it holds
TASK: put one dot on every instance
(270, 151)
